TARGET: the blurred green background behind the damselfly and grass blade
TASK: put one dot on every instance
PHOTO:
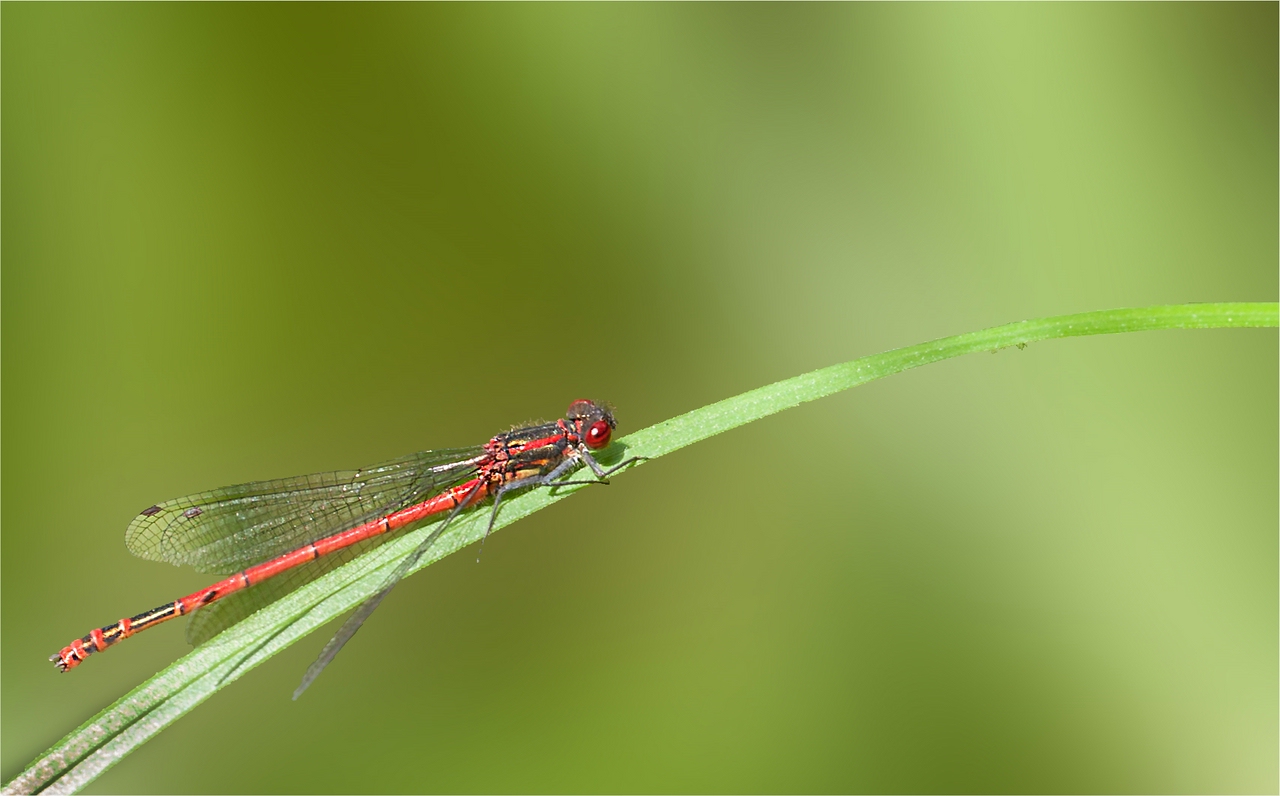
(253, 241)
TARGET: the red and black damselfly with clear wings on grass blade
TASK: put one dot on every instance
(277, 536)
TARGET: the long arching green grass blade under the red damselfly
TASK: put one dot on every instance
(113, 734)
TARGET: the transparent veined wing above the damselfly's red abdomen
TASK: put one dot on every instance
(227, 530)
